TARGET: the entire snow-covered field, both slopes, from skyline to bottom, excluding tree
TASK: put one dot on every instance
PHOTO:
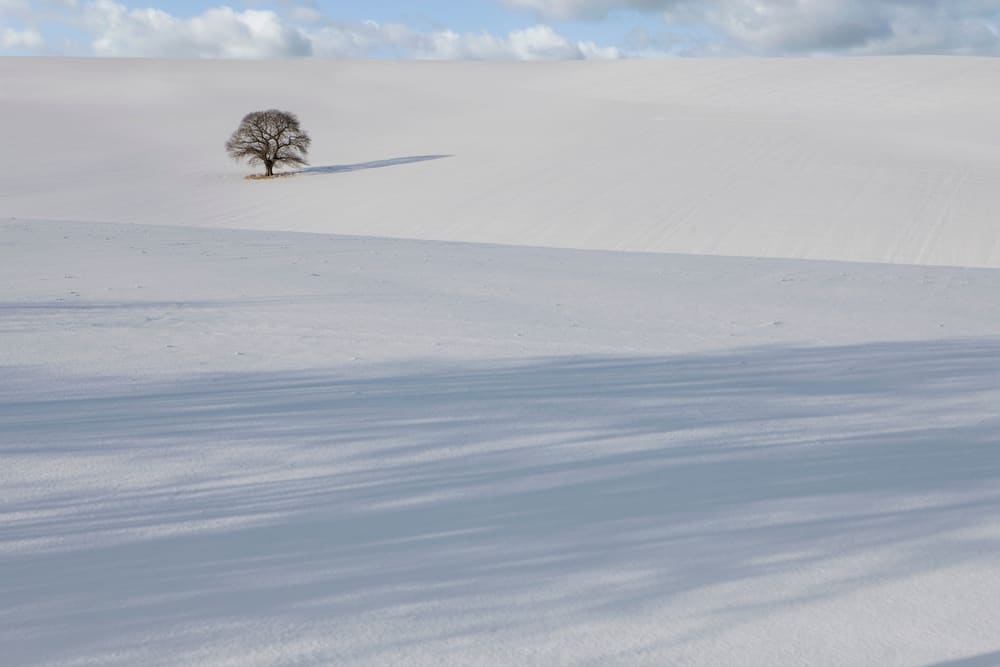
(224, 441)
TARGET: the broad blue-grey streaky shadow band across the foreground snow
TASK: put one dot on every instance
(595, 486)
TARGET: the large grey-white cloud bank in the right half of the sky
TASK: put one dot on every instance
(771, 27)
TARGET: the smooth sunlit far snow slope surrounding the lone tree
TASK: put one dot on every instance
(888, 159)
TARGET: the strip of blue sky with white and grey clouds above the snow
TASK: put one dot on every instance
(497, 29)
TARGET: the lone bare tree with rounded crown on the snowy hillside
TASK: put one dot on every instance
(270, 138)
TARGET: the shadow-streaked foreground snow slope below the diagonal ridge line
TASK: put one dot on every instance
(245, 448)
